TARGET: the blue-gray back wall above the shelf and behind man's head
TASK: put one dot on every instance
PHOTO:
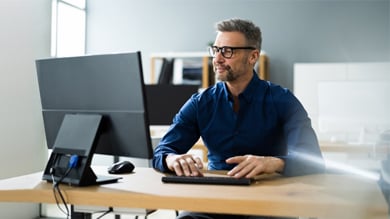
(293, 30)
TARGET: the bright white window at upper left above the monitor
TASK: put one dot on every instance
(68, 27)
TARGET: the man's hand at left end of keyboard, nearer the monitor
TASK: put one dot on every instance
(184, 164)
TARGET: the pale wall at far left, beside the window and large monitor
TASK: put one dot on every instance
(25, 36)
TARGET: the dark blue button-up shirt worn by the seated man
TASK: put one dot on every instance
(270, 122)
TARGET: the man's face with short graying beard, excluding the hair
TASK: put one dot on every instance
(229, 69)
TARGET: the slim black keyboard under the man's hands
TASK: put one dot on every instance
(215, 180)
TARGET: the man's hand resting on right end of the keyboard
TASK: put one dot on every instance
(250, 165)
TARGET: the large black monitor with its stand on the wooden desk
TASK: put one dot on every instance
(92, 104)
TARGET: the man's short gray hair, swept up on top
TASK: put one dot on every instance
(251, 32)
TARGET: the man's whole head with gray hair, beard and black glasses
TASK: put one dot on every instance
(236, 50)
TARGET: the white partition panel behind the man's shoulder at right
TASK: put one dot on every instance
(332, 89)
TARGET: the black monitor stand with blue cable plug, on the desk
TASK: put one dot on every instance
(77, 137)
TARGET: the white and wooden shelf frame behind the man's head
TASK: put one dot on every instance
(205, 57)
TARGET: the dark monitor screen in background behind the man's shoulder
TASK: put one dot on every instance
(164, 101)
